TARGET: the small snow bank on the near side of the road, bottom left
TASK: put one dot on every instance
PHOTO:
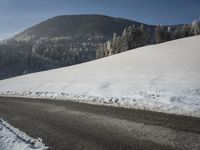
(12, 138)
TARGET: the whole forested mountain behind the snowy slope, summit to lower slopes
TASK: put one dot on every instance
(57, 42)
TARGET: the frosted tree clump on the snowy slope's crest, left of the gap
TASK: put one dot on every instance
(132, 37)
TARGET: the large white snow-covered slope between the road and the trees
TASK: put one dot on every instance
(163, 77)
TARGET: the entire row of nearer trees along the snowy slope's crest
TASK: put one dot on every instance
(134, 37)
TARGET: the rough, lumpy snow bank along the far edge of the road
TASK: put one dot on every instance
(161, 102)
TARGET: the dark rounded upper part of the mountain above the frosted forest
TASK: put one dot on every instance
(77, 26)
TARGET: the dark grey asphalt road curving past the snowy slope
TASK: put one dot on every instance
(65, 125)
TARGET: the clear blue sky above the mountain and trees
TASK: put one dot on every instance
(17, 15)
